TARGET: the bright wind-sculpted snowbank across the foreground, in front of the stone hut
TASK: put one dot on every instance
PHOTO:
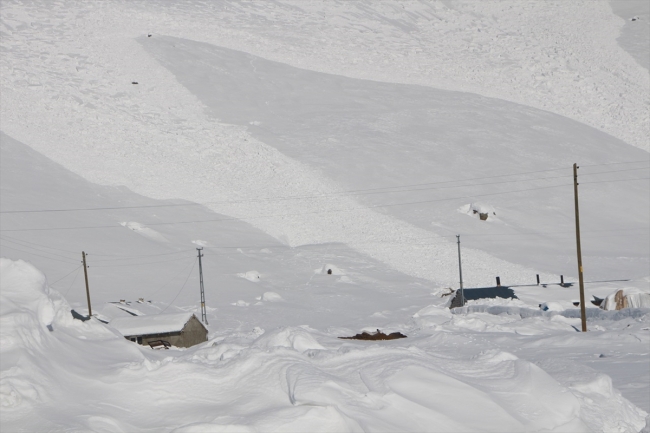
(289, 379)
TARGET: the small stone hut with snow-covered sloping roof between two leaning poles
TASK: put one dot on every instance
(179, 329)
